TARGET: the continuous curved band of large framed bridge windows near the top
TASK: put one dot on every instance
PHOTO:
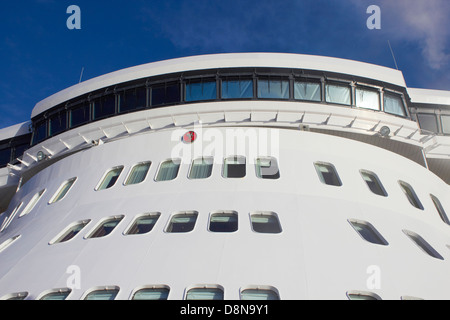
(153, 93)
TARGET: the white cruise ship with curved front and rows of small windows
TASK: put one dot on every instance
(246, 176)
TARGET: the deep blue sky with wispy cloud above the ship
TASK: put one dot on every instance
(40, 56)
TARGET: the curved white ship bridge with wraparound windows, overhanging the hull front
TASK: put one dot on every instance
(350, 99)
